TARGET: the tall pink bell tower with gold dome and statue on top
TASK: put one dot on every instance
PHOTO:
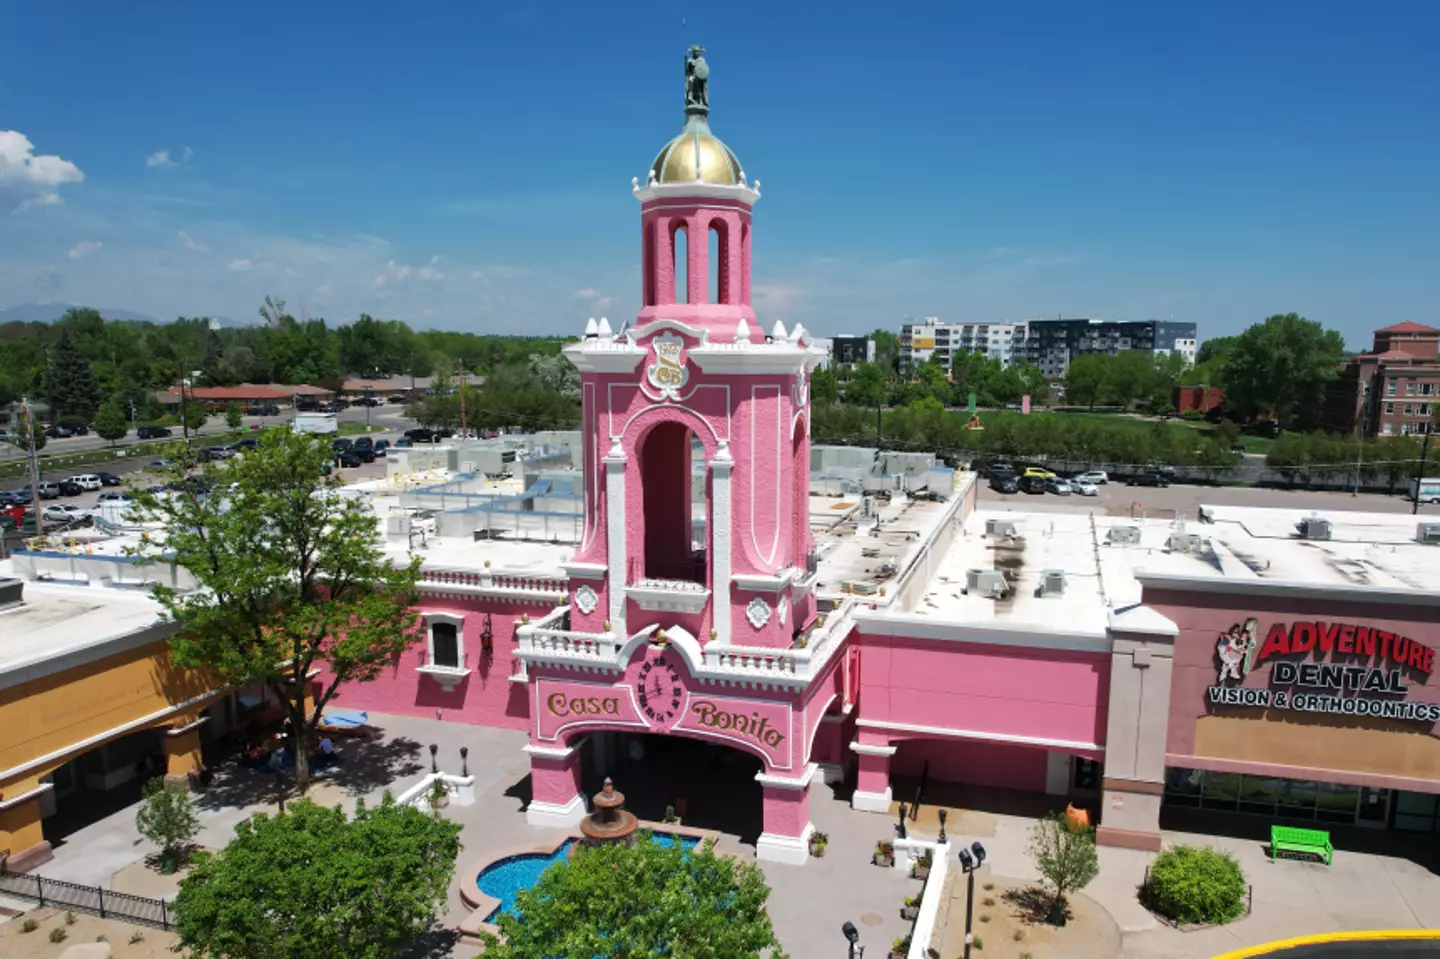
(693, 607)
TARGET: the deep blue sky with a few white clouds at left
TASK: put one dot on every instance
(467, 166)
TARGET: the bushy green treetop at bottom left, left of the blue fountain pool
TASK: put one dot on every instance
(310, 885)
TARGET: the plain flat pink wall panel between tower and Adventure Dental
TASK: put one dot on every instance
(977, 688)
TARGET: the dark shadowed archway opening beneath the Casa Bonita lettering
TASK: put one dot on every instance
(711, 787)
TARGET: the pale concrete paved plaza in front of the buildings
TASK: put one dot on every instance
(1362, 891)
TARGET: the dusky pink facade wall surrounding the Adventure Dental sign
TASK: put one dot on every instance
(1203, 617)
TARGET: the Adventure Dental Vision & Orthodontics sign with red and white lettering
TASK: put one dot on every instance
(1366, 665)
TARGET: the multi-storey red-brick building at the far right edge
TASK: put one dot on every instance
(1390, 391)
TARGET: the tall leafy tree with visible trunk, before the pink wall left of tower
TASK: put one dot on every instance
(292, 572)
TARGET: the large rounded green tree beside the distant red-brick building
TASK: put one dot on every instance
(1281, 366)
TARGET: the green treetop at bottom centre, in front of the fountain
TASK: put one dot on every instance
(642, 901)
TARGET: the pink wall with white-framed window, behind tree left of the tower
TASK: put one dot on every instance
(486, 698)
